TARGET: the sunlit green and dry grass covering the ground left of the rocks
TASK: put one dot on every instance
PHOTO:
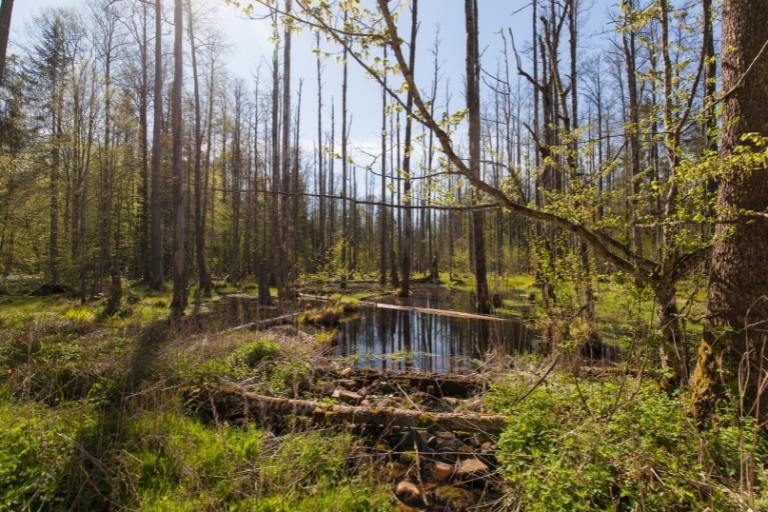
(69, 438)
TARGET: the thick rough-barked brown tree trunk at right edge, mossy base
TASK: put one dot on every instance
(735, 339)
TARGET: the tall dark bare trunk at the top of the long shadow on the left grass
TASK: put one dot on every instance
(179, 301)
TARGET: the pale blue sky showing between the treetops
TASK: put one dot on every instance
(249, 47)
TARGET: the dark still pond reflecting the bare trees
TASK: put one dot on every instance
(390, 339)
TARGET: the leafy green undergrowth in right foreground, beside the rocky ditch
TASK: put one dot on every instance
(614, 446)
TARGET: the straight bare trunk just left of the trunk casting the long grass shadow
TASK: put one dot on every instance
(156, 281)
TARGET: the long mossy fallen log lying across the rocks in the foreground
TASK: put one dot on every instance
(226, 400)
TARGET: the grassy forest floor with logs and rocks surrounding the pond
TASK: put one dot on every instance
(131, 413)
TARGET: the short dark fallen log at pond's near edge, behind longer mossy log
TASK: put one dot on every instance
(436, 383)
